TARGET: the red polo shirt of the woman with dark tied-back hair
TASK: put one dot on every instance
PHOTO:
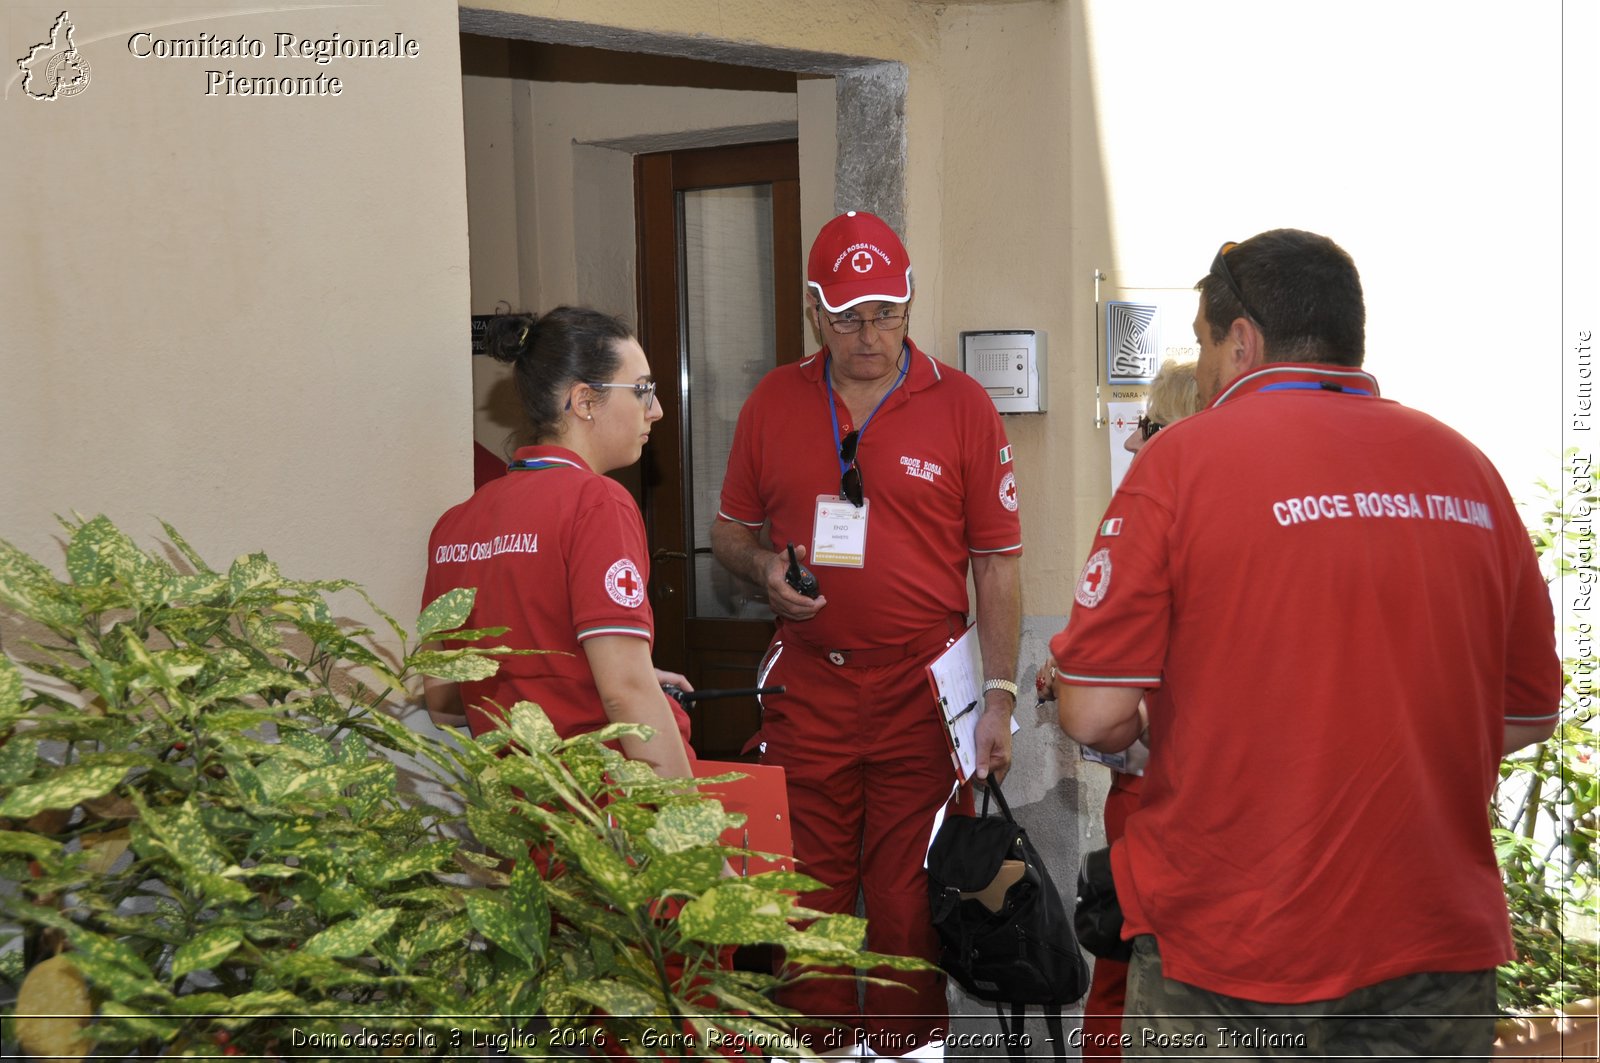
(558, 555)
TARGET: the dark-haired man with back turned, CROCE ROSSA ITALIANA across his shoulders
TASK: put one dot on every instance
(1350, 627)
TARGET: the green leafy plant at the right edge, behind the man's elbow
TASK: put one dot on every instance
(1546, 804)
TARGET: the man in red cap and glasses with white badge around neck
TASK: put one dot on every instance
(890, 473)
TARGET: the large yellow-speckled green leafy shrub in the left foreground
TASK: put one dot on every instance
(212, 841)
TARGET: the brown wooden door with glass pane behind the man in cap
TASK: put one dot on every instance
(721, 305)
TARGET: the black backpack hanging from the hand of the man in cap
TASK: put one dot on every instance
(1004, 933)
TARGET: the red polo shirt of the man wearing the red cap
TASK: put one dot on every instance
(935, 468)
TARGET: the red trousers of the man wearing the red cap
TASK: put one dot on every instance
(868, 768)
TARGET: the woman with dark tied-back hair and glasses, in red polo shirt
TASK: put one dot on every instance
(558, 550)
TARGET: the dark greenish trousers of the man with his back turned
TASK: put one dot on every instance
(1442, 1016)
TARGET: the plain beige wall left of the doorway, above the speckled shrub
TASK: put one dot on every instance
(238, 315)
